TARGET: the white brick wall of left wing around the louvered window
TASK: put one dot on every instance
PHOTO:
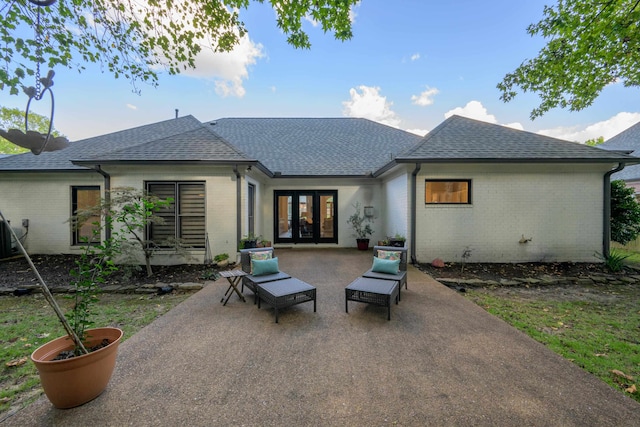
(45, 199)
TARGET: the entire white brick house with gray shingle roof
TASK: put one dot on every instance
(494, 193)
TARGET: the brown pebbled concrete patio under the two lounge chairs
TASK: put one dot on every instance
(441, 360)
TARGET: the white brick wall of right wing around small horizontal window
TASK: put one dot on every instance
(560, 212)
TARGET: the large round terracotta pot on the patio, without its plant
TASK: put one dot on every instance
(73, 382)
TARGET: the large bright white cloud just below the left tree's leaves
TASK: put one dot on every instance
(227, 69)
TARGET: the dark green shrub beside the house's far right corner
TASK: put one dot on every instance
(625, 213)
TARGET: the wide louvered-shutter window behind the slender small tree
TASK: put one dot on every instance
(184, 218)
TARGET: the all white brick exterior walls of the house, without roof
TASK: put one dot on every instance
(559, 207)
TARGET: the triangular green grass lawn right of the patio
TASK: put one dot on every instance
(601, 335)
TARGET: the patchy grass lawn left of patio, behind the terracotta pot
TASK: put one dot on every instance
(27, 322)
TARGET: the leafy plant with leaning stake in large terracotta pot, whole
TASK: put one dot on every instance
(76, 368)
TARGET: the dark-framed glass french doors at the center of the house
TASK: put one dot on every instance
(306, 216)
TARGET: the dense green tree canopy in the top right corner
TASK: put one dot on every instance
(591, 45)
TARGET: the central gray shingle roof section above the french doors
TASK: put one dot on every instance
(316, 146)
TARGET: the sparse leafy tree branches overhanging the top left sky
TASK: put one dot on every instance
(135, 40)
